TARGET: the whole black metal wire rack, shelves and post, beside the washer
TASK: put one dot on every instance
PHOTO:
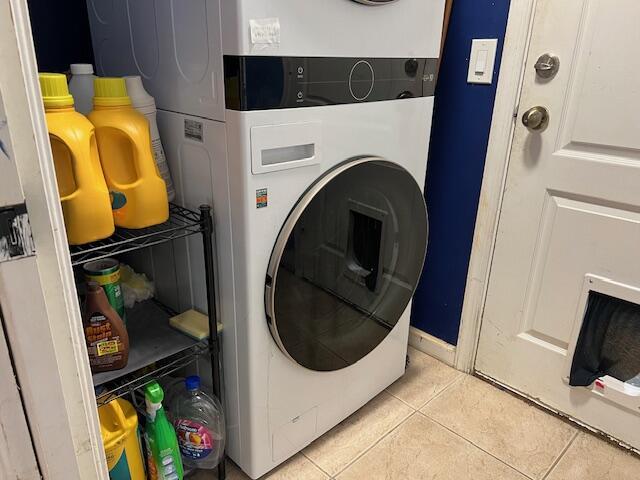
(156, 350)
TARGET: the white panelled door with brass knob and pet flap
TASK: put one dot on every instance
(570, 219)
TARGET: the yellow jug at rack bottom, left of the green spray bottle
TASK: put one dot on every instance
(121, 439)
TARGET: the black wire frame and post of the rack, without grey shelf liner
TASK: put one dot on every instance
(182, 222)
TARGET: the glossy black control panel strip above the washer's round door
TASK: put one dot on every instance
(262, 83)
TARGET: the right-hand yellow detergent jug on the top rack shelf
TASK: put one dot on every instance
(139, 195)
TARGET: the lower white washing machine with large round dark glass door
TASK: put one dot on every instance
(321, 231)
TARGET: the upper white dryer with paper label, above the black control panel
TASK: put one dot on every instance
(177, 47)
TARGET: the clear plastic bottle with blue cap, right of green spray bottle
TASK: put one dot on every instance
(199, 423)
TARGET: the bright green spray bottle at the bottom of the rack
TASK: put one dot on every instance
(164, 460)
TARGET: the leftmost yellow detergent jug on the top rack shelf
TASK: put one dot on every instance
(83, 192)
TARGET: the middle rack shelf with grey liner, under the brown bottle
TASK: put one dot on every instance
(156, 350)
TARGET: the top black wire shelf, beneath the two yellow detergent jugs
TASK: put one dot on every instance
(182, 223)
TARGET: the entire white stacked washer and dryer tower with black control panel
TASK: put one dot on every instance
(306, 124)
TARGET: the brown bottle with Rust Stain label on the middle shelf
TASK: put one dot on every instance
(104, 331)
